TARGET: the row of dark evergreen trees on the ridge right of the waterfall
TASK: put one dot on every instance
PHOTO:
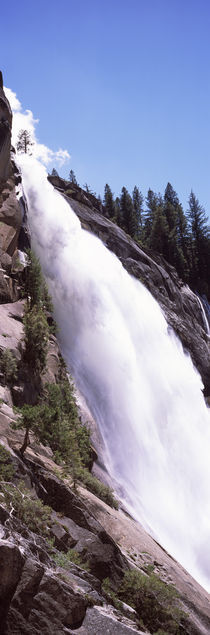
(160, 224)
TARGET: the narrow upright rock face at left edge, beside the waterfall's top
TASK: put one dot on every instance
(5, 134)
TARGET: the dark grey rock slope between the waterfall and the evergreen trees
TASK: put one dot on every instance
(179, 304)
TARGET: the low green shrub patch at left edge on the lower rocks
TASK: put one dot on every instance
(21, 504)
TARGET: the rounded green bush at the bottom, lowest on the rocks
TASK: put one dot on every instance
(155, 602)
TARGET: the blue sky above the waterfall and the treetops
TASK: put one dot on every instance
(123, 85)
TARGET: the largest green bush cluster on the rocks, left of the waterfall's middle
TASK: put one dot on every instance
(55, 422)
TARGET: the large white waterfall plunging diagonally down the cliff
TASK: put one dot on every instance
(142, 389)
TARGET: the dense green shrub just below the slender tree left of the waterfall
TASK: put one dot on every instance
(36, 339)
